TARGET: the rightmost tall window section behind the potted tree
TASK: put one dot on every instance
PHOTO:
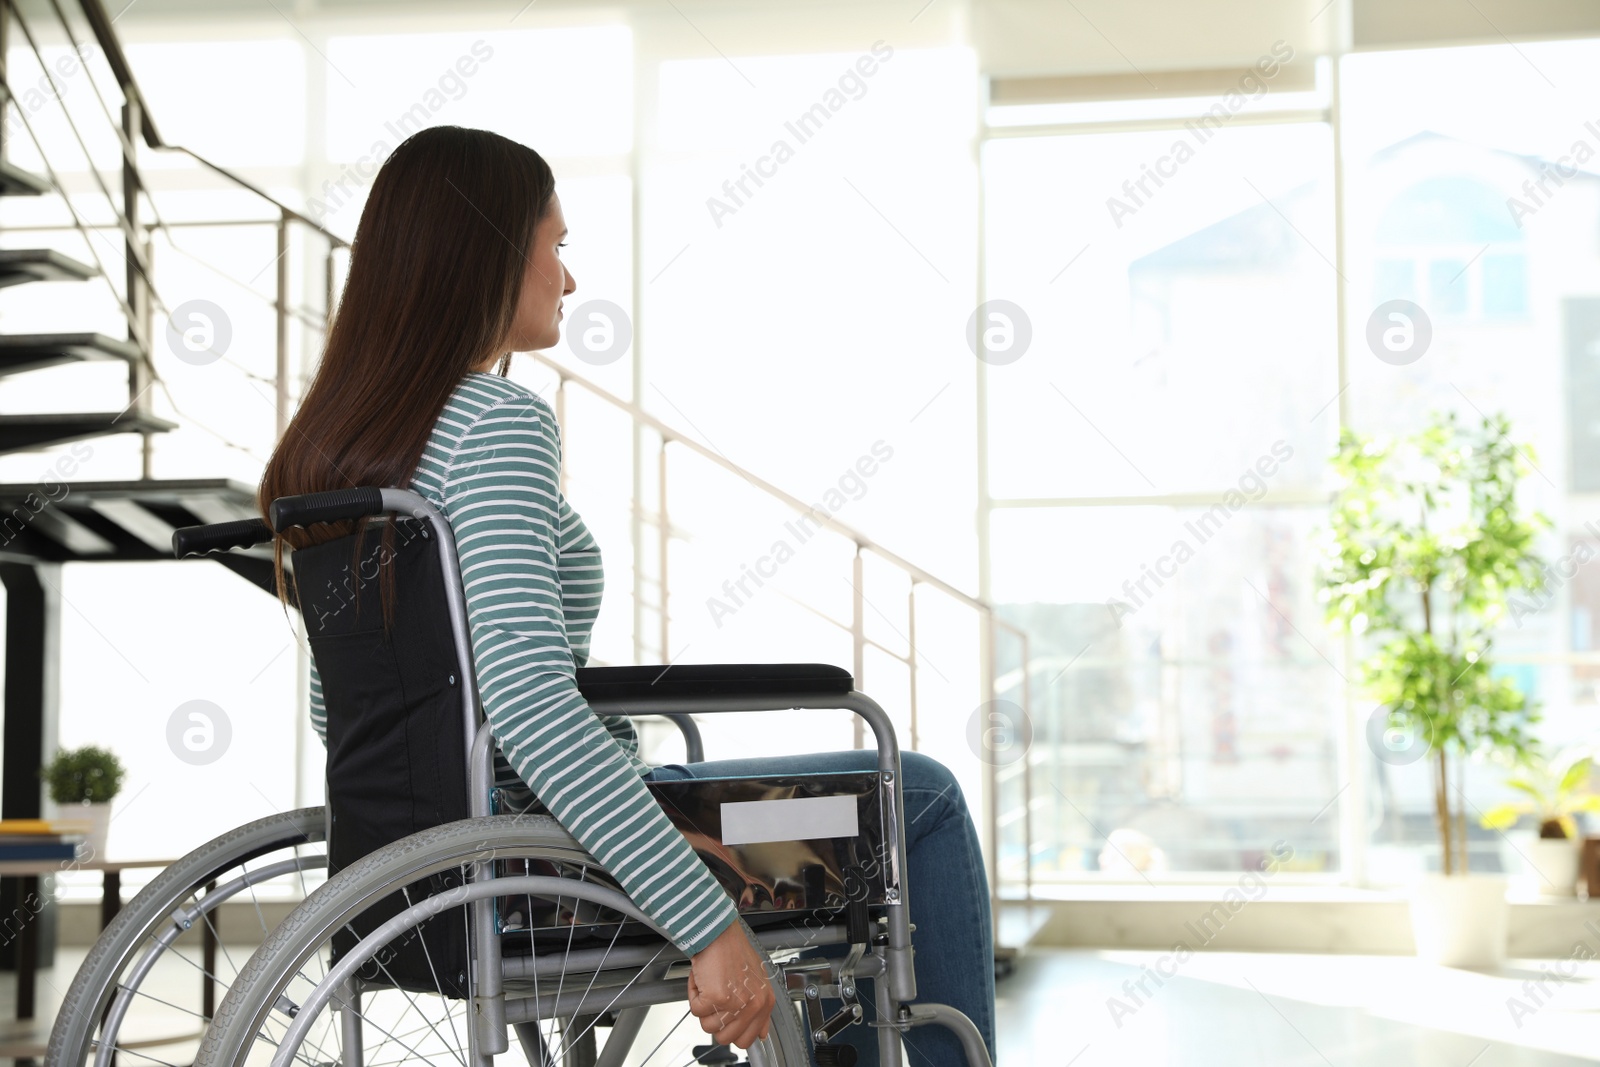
(1473, 194)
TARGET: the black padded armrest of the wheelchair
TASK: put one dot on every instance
(639, 682)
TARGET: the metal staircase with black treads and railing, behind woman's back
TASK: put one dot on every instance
(126, 519)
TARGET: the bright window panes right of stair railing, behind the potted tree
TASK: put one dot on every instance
(1178, 297)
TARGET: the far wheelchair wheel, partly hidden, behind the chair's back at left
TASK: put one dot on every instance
(111, 1005)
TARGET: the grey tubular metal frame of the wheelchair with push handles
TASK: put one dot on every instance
(887, 957)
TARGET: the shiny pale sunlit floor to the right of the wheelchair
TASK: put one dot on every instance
(1289, 1010)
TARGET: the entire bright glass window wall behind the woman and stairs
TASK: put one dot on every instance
(794, 246)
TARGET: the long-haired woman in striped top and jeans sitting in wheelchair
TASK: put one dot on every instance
(455, 268)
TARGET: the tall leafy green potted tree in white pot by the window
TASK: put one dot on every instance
(1426, 546)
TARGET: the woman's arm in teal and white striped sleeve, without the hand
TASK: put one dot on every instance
(502, 497)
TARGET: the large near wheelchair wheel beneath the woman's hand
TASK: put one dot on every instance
(598, 986)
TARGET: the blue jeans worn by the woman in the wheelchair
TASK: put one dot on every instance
(948, 890)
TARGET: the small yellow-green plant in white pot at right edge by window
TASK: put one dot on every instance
(1556, 793)
